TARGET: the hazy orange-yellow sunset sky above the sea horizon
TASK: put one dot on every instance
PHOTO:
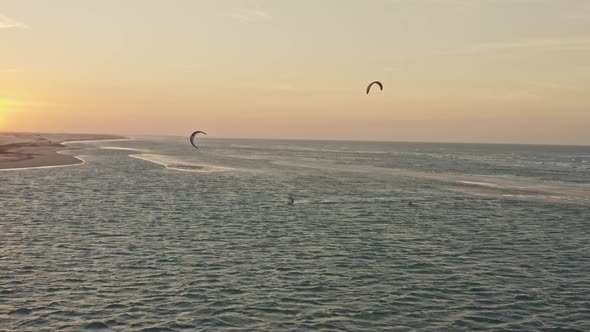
(497, 71)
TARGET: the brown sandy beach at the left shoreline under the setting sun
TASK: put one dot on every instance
(24, 150)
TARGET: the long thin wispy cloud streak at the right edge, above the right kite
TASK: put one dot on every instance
(541, 44)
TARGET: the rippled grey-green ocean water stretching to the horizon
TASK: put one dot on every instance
(150, 234)
